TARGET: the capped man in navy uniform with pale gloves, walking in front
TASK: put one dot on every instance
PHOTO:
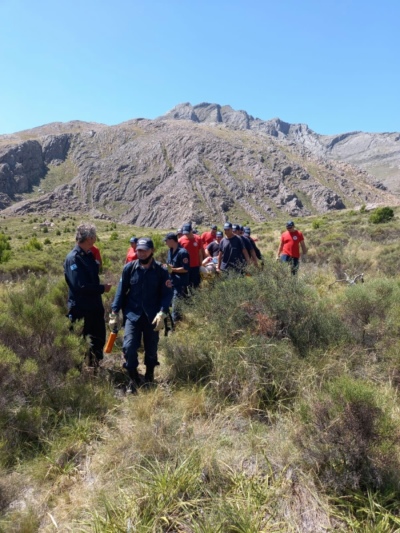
(144, 295)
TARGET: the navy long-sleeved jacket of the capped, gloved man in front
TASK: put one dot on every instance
(143, 290)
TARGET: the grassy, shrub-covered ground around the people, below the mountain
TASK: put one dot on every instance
(276, 406)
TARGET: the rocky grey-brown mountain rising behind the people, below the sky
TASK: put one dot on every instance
(205, 163)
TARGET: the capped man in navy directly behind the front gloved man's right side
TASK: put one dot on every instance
(178, 262)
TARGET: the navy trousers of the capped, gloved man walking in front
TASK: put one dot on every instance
(134, 332)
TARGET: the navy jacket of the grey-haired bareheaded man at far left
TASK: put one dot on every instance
(82, 276)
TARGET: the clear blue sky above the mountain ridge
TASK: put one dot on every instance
(332, 64)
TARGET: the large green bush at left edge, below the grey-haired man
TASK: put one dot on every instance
(40, 387)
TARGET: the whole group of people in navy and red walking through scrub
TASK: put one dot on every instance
(147, 289)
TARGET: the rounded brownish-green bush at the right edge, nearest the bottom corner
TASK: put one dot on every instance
(348, 440)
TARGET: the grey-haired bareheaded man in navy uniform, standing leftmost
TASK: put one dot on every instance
(84, 295)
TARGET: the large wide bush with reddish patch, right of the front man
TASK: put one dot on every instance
(233, 339)
